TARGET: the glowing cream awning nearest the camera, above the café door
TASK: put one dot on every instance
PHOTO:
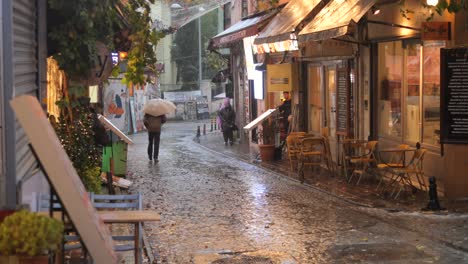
(335, 20)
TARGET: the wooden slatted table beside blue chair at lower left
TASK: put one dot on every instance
(130, 217)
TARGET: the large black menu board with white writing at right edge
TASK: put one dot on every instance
(454, 96)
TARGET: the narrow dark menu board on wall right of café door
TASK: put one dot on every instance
(342, 102)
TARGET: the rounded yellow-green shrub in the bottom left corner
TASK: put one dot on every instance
(26, 233)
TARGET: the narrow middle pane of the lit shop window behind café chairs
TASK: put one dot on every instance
(413, 78)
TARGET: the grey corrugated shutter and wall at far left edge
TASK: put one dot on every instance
(23, 71)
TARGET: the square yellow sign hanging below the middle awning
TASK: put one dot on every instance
(281, 77)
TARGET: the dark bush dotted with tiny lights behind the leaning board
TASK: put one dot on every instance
(75, 131)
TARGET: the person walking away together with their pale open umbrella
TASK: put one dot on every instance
(155, 116)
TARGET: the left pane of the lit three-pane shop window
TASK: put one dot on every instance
(390, 87)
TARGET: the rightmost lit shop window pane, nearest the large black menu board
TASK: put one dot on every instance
(431, 92)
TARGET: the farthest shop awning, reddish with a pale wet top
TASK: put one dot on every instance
(245, 28)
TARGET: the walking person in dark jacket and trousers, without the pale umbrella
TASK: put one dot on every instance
(153, 125)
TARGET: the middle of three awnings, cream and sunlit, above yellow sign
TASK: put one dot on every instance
(289, 20)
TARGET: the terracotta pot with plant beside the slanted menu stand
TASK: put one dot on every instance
(267, 135)
